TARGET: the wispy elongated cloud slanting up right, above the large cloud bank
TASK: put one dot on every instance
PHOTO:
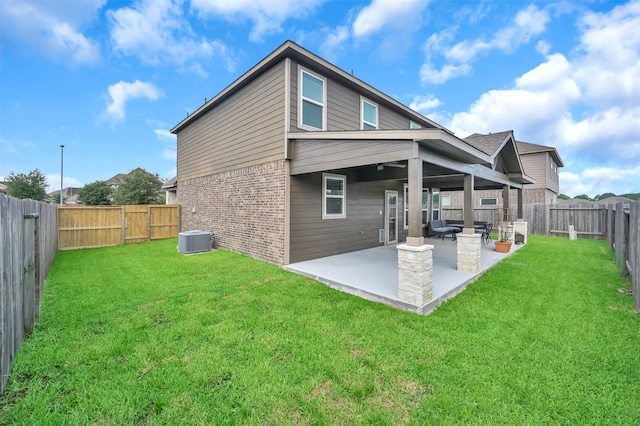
(527, 24)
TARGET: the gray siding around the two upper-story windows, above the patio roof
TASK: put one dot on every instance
(343, 107)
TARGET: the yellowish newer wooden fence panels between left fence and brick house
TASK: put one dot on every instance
(98, 226)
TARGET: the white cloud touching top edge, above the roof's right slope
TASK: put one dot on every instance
(380, 13)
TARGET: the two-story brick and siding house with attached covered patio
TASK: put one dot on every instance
(298, 159)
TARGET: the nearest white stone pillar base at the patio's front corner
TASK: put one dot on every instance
(415, 274)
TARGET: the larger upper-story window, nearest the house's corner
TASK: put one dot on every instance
(313, 93)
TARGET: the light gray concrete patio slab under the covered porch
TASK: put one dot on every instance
(373, 273)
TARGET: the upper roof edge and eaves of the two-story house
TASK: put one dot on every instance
(292, 50)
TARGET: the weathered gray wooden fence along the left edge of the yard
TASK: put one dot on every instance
(28, 245)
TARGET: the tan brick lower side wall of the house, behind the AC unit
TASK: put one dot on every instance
(244, 208)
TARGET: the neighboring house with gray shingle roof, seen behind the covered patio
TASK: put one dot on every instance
(539, 162)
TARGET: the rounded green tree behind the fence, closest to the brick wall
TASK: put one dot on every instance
(139, 187)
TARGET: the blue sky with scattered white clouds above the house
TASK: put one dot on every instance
(108, 79)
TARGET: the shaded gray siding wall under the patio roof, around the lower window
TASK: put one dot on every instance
(313, 237)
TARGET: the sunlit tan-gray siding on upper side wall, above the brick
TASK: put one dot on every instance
(244, 130)
